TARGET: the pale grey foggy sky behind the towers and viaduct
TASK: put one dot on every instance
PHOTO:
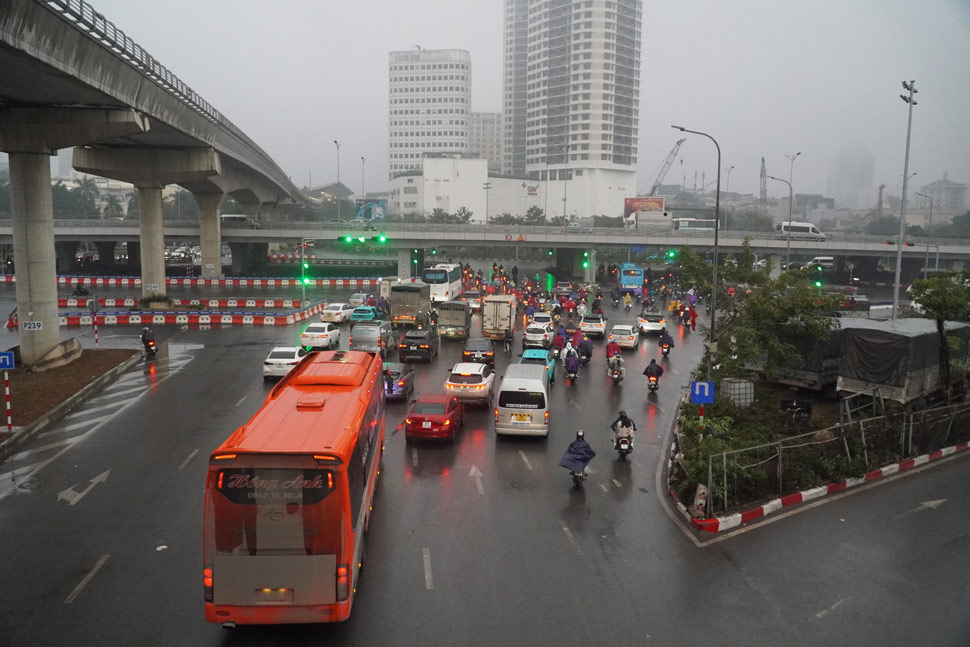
(765, 78)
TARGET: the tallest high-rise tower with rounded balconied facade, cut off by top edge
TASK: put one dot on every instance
(572, 86)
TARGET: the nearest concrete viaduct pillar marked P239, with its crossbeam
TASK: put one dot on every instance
(30, 136)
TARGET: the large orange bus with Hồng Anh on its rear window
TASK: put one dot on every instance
(288, 496)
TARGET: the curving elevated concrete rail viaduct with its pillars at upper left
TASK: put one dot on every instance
(71, 78)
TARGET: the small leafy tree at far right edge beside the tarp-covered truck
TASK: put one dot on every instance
(944, 297)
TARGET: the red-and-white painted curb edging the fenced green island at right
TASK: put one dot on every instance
(727, 522)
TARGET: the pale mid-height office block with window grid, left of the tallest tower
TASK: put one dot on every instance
(429, 105)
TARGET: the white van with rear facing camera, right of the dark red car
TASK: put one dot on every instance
(523, 401)
